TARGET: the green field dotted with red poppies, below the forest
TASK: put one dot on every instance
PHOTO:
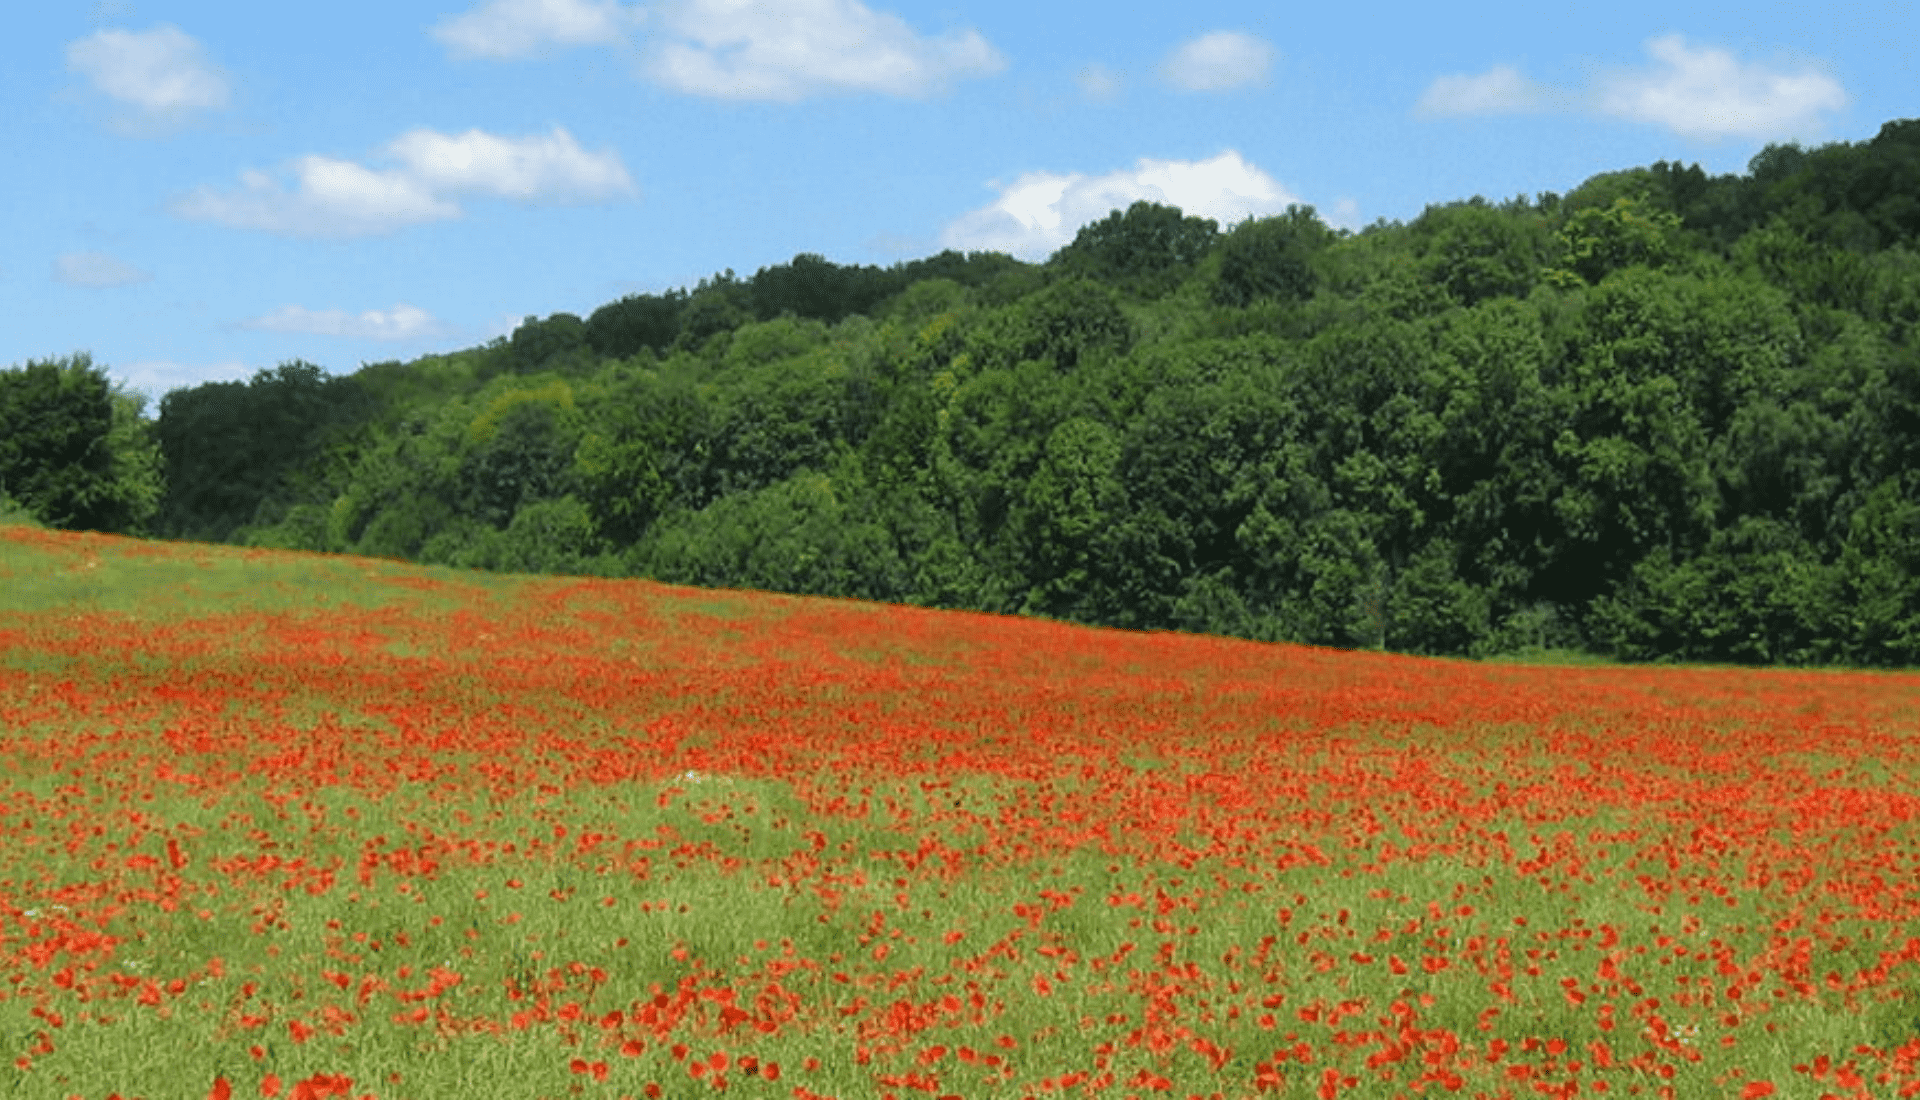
(299, 826)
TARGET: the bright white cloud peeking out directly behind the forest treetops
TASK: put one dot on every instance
(1042, 212)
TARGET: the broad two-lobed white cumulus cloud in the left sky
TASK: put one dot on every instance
(341, 199)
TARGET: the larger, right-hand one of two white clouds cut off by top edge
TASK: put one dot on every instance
(796, 49)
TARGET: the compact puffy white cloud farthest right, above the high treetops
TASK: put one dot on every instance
(1710, 95)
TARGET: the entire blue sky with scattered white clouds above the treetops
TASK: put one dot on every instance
(203, 191)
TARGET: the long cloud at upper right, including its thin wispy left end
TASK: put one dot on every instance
(1696, 93)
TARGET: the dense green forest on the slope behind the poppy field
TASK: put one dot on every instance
(1660, 418)
